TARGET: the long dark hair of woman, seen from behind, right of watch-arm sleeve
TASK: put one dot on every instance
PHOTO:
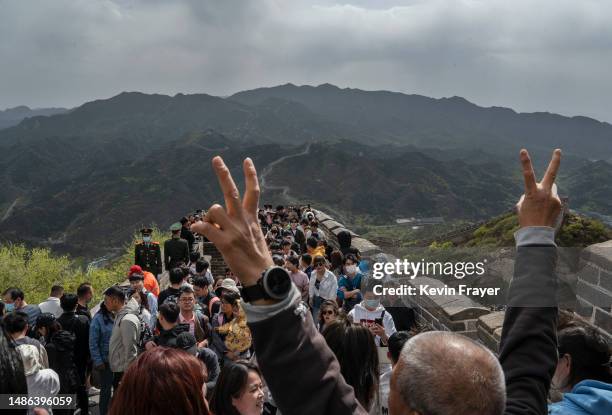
(356, 352)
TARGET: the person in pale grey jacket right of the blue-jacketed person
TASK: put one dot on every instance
(125, 337)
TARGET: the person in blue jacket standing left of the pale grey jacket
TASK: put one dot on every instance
(100, 332)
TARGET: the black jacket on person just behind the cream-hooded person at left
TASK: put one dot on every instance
(60, 350)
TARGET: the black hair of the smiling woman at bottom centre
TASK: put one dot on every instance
(230, 384)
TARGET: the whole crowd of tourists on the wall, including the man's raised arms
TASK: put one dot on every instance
(183, 339)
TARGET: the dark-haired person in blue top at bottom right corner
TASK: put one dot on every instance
(583, 373)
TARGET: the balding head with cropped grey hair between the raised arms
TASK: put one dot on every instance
(443, 373)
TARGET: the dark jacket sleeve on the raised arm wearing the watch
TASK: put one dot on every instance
(289, 339)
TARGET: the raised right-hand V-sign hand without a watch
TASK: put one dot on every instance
(540, 205)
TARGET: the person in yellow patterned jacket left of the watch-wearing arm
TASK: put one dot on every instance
(230, 338)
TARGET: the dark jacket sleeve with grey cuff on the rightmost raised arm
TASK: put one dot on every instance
(528, 349)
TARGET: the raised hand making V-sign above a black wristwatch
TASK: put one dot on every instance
(235, 229)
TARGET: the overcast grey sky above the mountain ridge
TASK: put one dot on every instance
(535, 55)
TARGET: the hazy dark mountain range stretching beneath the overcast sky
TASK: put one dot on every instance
(83, 180)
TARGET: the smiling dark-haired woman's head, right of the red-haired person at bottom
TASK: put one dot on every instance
(239, 390)
